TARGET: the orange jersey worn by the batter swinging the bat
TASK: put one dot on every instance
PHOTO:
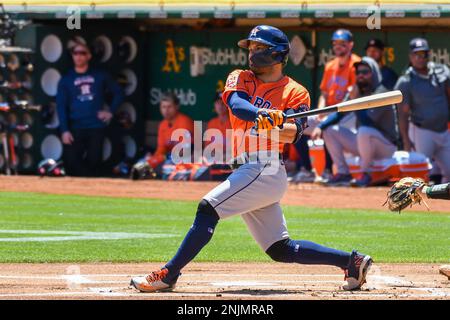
(282, 95)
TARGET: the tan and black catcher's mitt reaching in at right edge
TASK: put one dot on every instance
(404, 193)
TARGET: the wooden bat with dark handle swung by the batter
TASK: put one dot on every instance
(372, 101)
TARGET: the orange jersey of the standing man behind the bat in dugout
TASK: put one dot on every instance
(336, 79)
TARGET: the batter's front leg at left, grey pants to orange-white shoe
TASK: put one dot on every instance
(239, 194)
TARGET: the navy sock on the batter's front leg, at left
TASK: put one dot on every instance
(198, 236)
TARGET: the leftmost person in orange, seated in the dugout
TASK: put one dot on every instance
(173, 119)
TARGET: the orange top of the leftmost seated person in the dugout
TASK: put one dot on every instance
(165, 130)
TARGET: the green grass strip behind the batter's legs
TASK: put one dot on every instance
(388, 237)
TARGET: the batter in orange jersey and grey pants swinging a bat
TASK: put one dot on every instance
(262, 97)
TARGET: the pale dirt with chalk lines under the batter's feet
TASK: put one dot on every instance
(220, 281)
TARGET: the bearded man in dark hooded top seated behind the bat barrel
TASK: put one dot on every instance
(376, 137)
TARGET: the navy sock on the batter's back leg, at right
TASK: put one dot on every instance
(307, 252)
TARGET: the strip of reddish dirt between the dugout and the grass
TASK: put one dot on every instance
(310, 195)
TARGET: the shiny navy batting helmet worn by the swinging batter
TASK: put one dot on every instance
(277, 41)
